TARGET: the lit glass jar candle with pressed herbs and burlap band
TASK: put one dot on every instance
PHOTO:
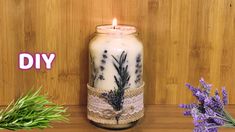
(115, 88)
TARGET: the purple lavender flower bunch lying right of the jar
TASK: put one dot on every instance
(209, 113)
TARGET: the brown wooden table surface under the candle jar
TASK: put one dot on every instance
(158, 118)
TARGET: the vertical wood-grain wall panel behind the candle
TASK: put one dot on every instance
(183, 41)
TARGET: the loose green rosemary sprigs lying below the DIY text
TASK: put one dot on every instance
(31, 111)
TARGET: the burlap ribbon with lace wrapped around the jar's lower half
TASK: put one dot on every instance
(129, 113)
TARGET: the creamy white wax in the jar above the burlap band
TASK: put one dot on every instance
(112, 42)
